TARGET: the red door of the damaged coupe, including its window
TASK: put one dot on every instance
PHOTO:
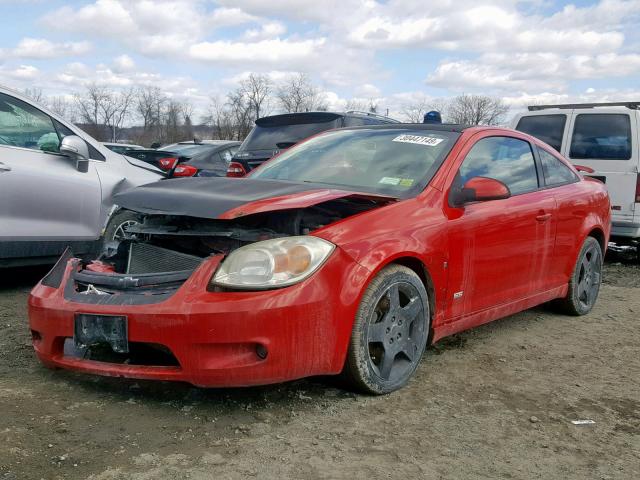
(499, 249)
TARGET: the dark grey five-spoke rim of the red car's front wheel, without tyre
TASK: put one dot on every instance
(396, 332)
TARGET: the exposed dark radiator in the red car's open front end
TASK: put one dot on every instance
(146, 258)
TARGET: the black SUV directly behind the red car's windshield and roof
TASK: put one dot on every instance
(273, 134)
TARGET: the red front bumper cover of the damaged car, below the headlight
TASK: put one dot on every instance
(217, 338)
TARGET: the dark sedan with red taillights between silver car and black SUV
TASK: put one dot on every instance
(202, 158)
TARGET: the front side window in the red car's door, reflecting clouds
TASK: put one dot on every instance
(507, 159)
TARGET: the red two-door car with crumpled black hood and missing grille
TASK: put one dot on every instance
(347, 254)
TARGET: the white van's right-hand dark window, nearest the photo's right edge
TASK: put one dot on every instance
(602, 136)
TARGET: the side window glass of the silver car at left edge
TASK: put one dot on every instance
(22, 125)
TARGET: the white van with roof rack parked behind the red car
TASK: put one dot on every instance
(604, 137)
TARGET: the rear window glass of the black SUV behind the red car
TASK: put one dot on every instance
(283, 136)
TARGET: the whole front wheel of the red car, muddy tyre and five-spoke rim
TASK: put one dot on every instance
(389, 333)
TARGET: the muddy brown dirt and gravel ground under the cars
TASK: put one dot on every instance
(495, 402)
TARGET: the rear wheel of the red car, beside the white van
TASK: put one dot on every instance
(584, 284)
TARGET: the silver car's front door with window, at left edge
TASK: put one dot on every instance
(44, 199)
